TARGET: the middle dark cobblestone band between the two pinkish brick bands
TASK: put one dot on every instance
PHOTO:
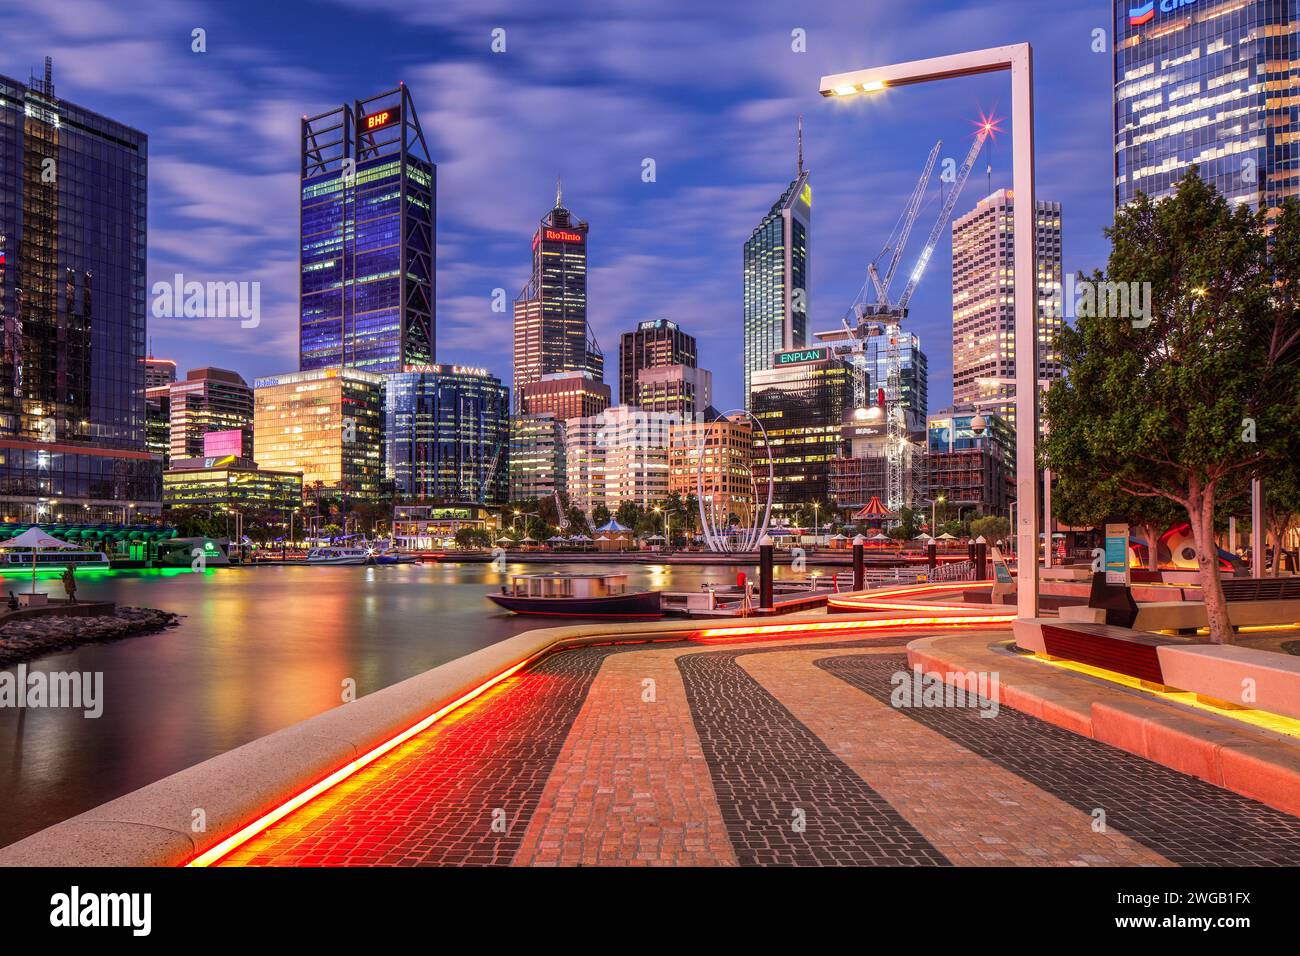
(786, 798)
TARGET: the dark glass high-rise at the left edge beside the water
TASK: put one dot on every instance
(73, 193)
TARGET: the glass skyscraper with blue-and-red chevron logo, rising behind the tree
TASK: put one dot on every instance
(1208, 83)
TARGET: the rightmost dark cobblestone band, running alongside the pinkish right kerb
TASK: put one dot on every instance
(1186, 820)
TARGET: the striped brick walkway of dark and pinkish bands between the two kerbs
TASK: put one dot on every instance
(769, 754)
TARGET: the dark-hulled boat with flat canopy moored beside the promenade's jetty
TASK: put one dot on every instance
(578, 596)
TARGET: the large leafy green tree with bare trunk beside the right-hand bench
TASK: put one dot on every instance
(1201, 391)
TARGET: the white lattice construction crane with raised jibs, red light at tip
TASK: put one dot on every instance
(881, 317)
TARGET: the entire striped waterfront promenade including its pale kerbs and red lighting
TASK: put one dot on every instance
(733, 743)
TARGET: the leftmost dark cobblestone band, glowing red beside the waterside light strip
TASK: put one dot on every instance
(436, 799)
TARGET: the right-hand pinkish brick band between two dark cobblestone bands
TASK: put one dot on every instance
(974, 812)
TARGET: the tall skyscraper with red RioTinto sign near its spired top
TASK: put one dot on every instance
(552, 332)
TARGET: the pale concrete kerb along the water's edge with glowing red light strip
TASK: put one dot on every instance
(155, 827)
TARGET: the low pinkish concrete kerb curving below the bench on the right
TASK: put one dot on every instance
(1250, 762)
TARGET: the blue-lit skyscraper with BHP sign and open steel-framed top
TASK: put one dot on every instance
(367, 237)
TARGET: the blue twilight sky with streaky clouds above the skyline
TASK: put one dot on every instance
(586, 90)
